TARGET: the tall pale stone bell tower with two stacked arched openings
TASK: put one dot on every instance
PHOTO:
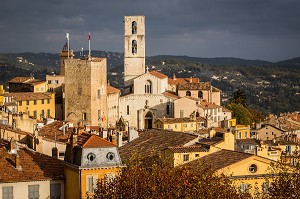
(134, 48)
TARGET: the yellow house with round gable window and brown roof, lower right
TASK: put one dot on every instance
(243, 168)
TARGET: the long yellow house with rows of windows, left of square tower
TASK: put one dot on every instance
(37, 105)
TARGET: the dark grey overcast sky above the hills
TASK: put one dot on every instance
(251, 29)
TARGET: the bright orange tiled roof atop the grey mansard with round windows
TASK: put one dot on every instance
(88, 140)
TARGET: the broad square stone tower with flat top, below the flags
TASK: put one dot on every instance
(85, 91)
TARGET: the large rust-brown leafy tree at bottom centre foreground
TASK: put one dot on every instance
(162, 181)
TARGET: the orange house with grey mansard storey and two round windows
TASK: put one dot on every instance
(89, 158)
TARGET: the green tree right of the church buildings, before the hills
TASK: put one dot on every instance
(242, 114)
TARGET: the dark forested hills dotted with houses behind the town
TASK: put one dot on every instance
(269, 87)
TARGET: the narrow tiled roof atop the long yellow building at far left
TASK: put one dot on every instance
(27, 96)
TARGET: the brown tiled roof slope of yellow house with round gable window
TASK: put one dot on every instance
(219, 159)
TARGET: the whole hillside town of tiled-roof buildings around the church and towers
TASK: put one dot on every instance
(61, 135)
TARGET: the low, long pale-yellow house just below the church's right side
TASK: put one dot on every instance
(180, 124)
